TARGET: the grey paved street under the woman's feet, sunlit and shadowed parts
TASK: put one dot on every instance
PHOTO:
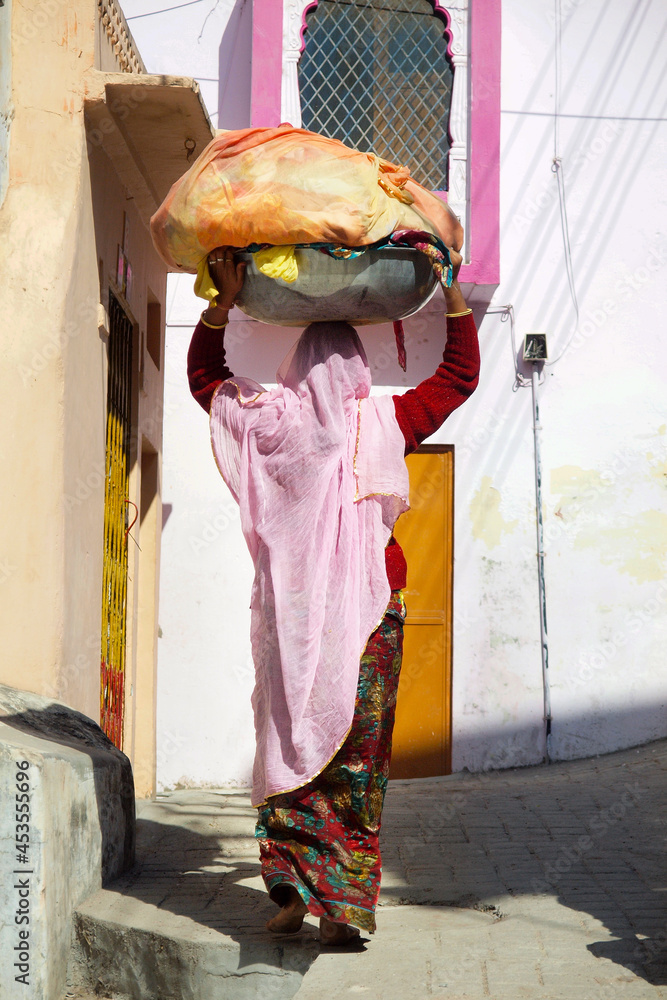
(544, 882)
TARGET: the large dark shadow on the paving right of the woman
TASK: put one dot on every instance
(590, 833)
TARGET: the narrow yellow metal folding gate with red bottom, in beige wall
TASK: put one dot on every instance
(116, 513)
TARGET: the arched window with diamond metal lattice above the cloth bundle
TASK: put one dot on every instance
(376, 74)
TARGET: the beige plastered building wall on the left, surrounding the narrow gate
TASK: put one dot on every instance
(60, 227)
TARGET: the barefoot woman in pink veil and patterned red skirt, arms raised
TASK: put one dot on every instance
(317, 467)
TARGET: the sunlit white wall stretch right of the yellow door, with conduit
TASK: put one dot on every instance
(602, 404)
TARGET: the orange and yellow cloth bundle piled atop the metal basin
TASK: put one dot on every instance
(288, 186)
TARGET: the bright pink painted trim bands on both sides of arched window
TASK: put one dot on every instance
(484, 157)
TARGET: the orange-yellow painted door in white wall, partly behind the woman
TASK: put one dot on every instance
(422, 733)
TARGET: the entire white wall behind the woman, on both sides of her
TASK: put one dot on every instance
(602, 413)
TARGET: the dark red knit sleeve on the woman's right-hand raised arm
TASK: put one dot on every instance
(422, 410)
